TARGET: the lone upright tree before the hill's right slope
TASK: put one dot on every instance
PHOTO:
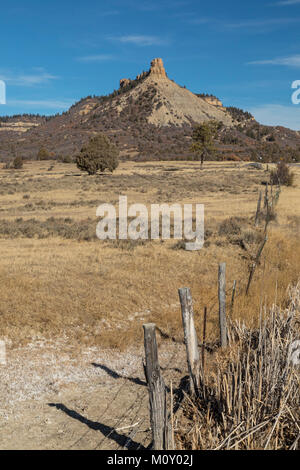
(203, 139)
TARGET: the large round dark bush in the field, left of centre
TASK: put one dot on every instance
(100, 154)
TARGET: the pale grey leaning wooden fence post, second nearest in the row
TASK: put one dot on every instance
(190, 338)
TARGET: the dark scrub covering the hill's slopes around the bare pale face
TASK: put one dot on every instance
(123, 117)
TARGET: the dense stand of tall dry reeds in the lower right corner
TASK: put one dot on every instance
(251, 399)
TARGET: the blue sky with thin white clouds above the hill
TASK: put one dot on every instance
(247, 53)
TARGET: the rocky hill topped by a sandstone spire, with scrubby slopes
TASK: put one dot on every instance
(149, 117)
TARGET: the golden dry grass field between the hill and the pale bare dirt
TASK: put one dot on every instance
(59, 280)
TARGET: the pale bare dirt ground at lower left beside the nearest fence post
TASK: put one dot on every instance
(54, 398)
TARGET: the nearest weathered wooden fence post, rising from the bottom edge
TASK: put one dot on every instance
(157, 391)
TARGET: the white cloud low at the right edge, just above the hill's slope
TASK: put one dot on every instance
(277, 115)
